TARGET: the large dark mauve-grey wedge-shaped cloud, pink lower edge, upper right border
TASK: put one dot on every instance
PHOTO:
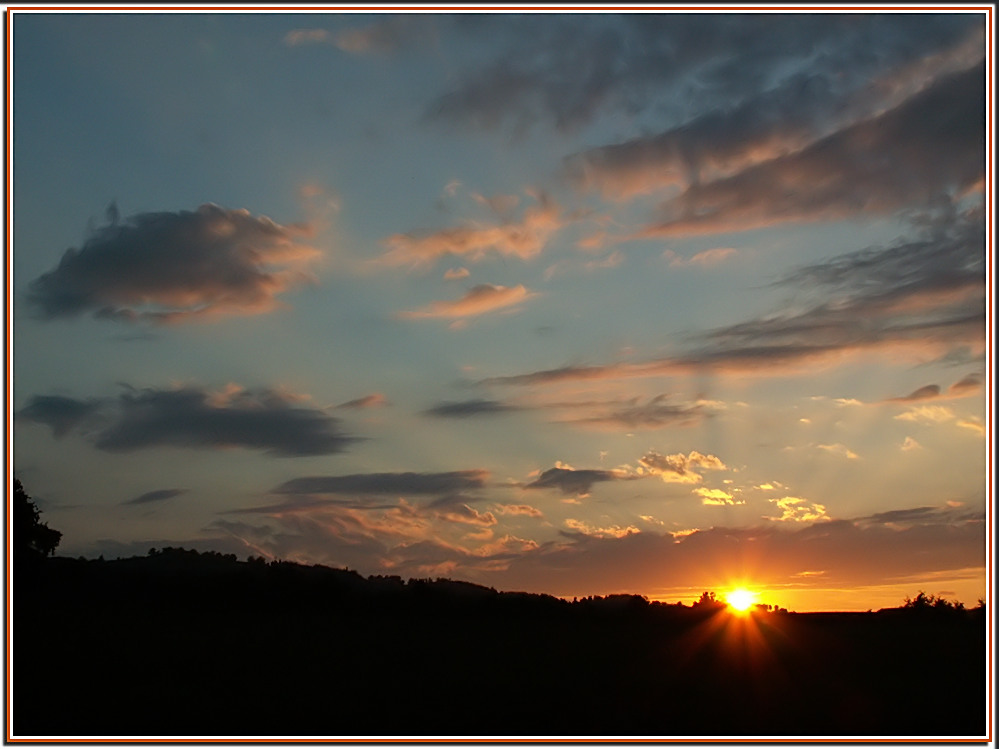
(930, 145)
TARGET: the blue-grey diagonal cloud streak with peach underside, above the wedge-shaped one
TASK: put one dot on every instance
(812, 101)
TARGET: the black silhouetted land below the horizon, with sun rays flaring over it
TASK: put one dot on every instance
(199, 645)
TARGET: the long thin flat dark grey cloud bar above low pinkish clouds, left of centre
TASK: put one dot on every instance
(387, 483)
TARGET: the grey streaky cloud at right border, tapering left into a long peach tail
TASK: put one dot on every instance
(922, 296)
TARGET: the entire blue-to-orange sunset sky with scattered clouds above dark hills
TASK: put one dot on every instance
(570, 303)
